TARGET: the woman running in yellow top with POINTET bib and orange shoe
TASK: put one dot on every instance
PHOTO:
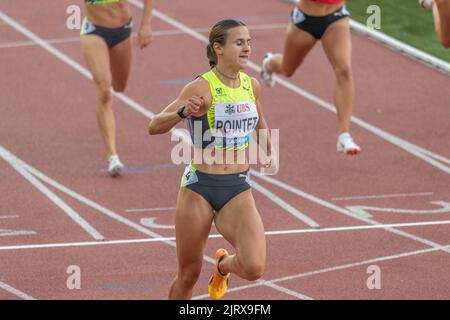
(221, 104)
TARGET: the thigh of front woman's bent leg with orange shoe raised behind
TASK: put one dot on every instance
(240, 224)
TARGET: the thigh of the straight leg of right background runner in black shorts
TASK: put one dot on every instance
(336, 43)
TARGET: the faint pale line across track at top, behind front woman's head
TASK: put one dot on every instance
(160, 33)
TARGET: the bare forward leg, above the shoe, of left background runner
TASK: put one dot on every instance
(96, 54)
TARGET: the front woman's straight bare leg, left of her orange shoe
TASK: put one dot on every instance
(193, 222)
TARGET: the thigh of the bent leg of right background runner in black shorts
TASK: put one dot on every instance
(297, 45)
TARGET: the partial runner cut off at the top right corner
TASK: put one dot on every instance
(441, 16)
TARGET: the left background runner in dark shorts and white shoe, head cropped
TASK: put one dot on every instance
(106, 45)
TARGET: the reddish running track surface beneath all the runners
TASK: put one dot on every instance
(58, 208)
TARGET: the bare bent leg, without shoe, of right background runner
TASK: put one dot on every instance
(296, 46)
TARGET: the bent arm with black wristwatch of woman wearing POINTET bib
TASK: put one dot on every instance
(192, 100)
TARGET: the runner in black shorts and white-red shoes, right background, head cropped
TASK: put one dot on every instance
(311, 21)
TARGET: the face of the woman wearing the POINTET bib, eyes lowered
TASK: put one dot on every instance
(236, 51)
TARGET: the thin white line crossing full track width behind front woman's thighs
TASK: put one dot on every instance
(217, 236)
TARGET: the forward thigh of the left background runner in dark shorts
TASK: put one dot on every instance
(96, 54)
